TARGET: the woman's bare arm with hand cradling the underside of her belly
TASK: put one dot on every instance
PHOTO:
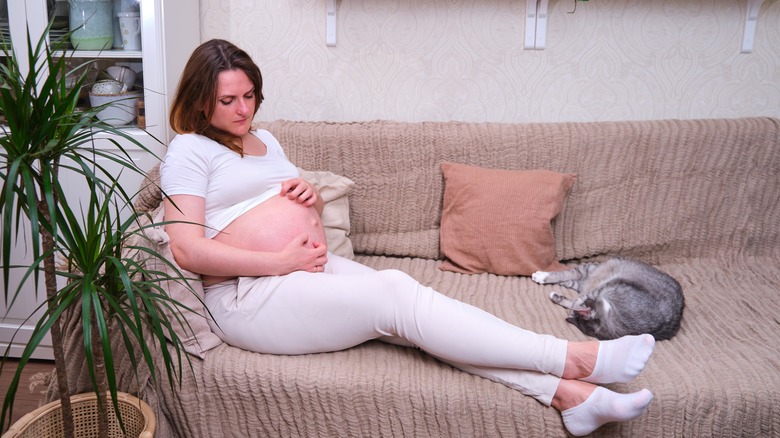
(197, 253)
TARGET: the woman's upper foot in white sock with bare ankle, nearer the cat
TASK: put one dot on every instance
(616, 361)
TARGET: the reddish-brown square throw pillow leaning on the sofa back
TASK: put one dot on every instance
(498, 221)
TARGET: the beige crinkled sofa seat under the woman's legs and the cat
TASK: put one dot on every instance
(709, 372)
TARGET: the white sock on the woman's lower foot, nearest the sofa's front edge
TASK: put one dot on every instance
(605, 406)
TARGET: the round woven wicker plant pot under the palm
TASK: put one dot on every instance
(46, 421)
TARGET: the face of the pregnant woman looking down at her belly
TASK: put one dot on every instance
(235, 105)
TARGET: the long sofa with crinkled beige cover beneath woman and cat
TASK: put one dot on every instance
(699, 199)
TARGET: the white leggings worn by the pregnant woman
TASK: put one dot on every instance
(350, 303)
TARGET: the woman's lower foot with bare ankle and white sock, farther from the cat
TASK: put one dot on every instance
(585, 407)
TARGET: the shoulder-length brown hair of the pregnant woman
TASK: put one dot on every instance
(196, 95)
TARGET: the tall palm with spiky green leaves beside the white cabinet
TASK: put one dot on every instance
(84, 249)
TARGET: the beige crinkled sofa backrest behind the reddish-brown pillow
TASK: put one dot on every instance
(651, 189)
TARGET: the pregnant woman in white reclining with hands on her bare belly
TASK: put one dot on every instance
(247, 222)
